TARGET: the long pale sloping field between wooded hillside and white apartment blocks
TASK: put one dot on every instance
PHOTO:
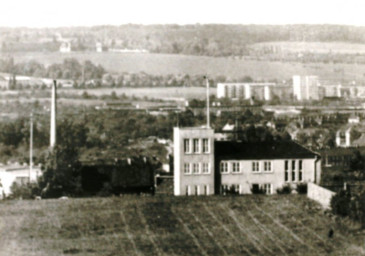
(162, 64)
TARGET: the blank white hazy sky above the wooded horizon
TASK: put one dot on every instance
(51, 13)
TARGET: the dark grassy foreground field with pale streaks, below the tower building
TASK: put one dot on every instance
(132, 225)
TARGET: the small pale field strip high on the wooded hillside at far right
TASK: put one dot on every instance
(316, 47)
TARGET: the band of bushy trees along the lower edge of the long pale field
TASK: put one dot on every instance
(89, 75)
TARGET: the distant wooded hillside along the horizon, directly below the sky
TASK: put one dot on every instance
(211, 40)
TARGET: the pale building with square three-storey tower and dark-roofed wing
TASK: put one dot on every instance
(203, 166)
